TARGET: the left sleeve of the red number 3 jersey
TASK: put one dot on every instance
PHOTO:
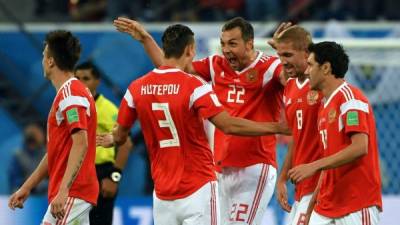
(127, 111)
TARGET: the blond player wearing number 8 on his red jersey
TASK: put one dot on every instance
(301, 110)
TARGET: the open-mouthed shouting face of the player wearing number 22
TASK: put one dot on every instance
(235, 49)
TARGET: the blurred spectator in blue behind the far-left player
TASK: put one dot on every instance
(26, 159)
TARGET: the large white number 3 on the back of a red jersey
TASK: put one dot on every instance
(169, 123)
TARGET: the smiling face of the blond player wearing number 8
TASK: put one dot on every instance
(294, 61)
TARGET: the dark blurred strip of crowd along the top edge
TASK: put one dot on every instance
(212, 10)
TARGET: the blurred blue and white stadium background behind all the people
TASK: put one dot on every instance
(369, 30)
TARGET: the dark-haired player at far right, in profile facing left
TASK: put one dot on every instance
(350, 192)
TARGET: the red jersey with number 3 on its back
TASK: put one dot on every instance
(171, 105)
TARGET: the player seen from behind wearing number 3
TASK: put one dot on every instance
(171, 105)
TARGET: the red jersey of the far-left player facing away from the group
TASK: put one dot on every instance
(73, 109)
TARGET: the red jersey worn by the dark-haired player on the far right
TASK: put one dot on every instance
(355, 185)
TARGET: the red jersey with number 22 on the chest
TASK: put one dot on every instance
(255, 93)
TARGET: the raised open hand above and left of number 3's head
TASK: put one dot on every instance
(131, 27)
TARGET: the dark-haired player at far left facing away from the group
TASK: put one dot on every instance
(71, 139)
